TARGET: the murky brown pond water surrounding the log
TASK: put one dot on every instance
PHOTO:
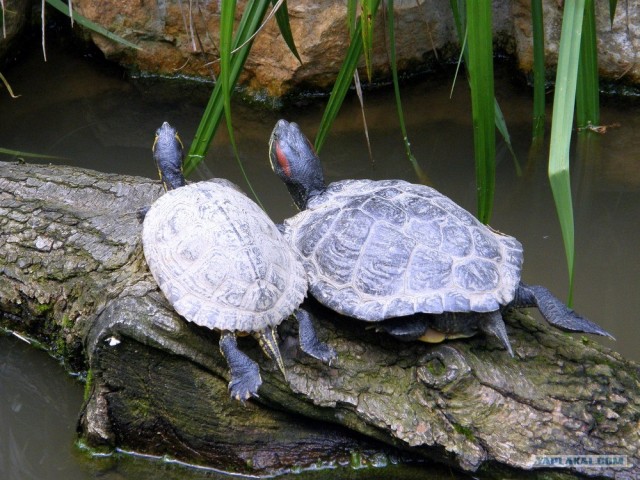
(83, 111)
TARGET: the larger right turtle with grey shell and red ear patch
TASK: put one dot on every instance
(377, 250)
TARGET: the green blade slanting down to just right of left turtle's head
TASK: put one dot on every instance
(249, 23)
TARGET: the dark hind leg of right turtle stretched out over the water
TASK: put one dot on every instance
(554, 310)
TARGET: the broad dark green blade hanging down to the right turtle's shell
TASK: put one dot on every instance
(480, 65)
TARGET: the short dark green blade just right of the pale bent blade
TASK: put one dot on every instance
(587, 93)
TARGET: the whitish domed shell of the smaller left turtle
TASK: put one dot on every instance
(219, 259)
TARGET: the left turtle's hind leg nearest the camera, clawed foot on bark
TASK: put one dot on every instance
(245, 373)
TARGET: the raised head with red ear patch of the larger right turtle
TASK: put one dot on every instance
(295, 161)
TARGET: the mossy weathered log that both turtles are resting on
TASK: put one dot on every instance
(73, 275)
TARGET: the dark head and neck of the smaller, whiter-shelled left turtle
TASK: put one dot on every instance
(168, 154)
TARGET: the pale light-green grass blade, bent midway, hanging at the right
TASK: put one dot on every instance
(561, 125)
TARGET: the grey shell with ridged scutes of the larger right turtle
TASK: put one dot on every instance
(380, 249)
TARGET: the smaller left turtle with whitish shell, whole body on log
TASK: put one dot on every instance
(223, 264)
